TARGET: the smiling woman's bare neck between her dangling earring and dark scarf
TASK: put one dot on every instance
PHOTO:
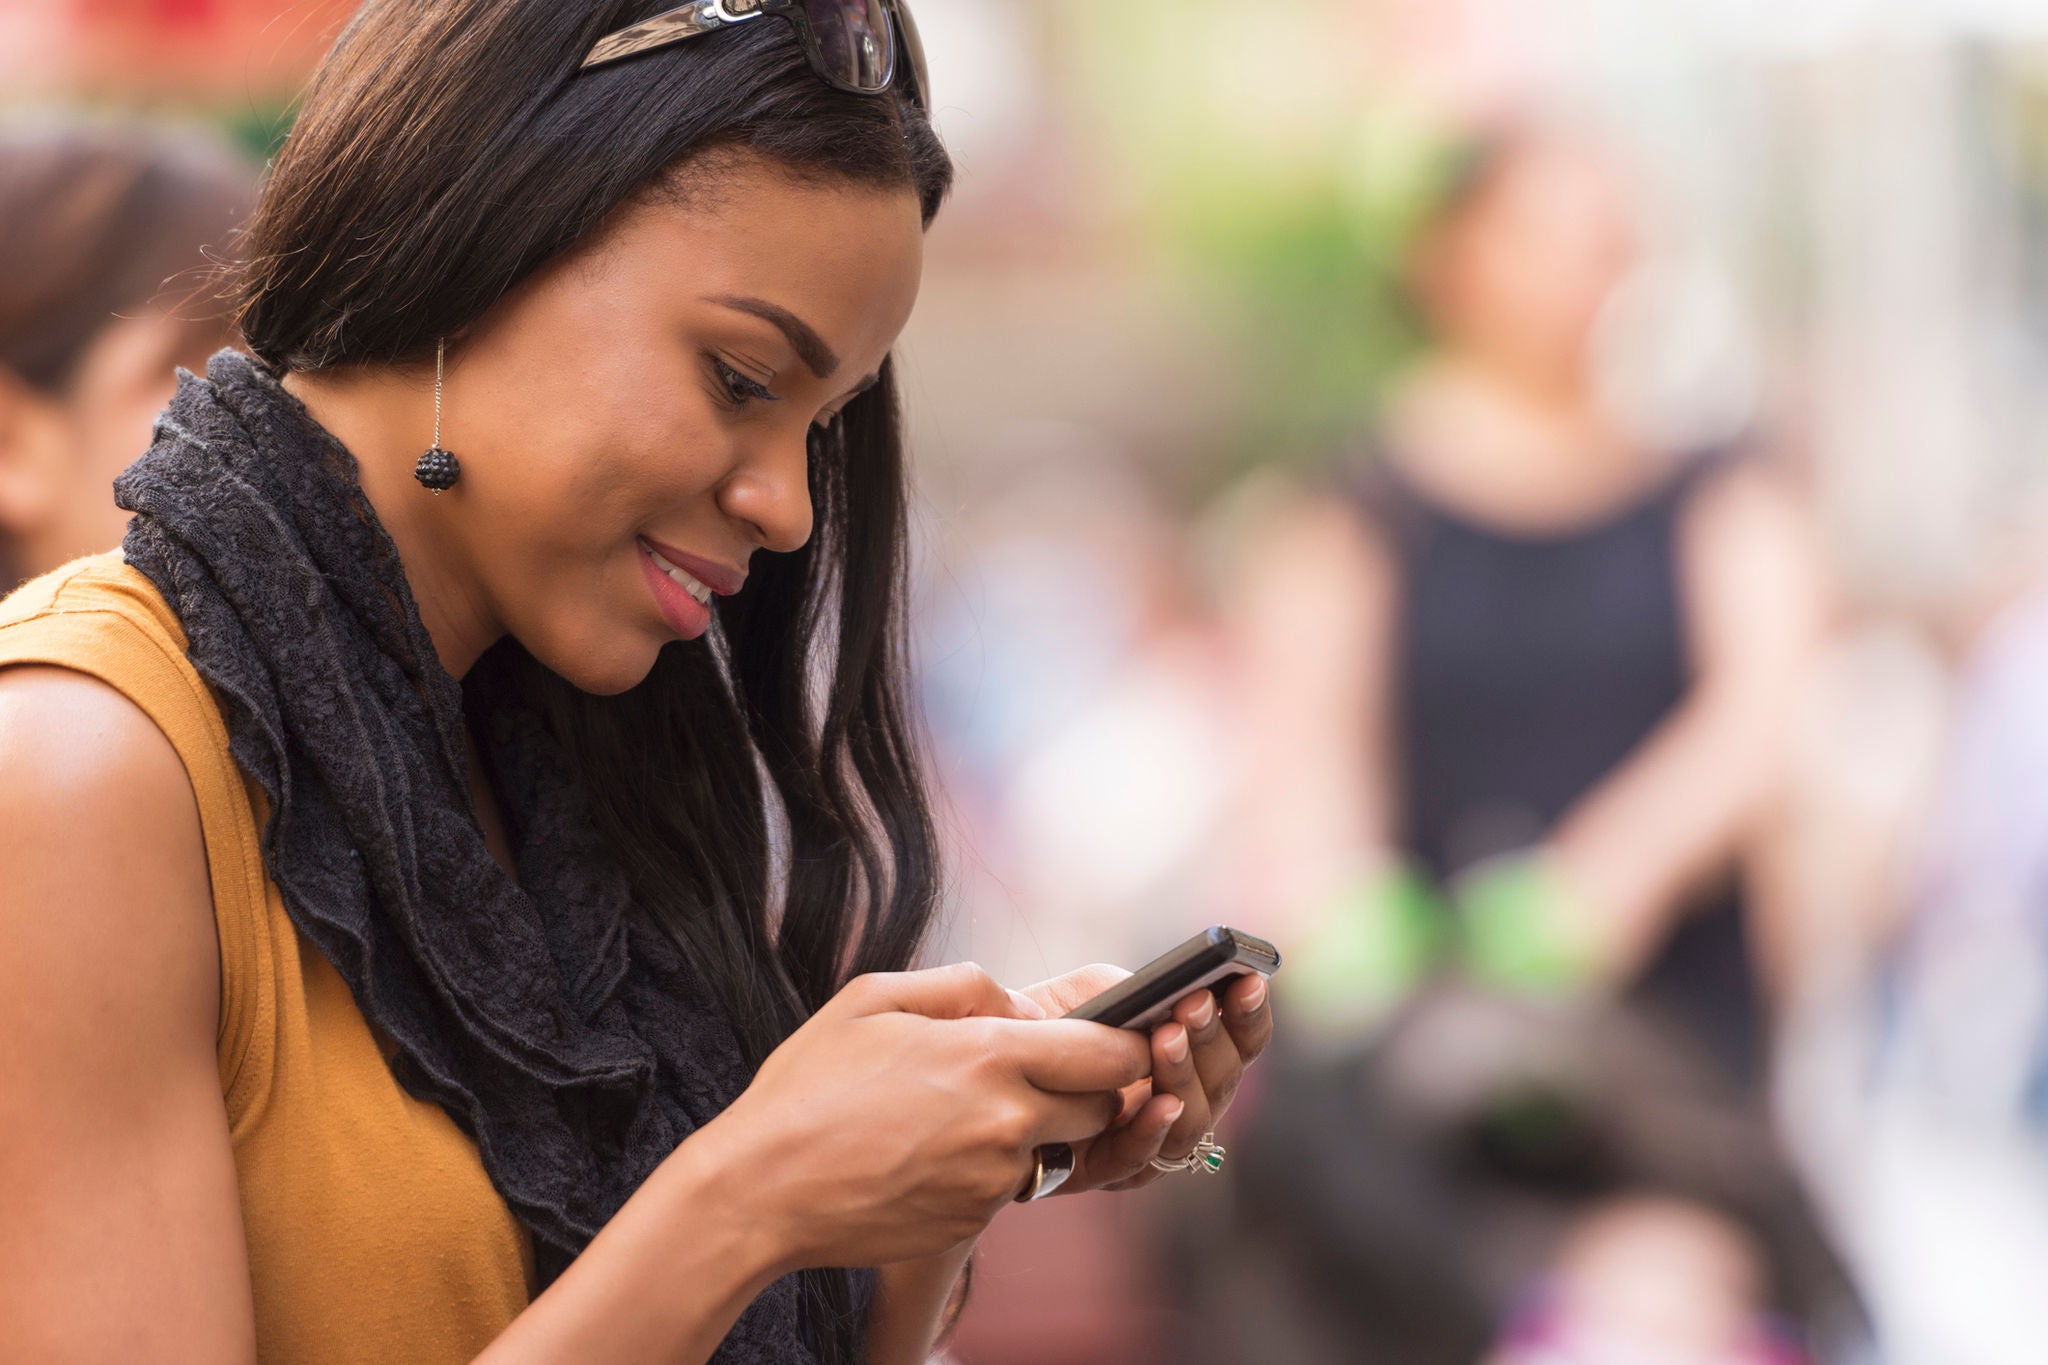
(386, 419)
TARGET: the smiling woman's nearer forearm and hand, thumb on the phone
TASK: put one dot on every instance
(888, 1131)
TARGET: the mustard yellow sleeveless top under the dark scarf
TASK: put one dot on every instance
(374, 1233)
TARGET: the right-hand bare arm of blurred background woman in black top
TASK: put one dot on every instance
(1680, 807)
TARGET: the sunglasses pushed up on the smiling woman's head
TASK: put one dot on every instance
(859, 46)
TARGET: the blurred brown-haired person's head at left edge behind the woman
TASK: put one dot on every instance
(103, 263)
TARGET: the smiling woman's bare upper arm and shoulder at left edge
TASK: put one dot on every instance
(122, 1231)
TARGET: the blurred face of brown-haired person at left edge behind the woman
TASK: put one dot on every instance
(60, 451)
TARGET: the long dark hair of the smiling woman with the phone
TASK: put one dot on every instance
(763, 785)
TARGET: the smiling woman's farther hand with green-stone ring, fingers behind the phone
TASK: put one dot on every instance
(1197, 1061)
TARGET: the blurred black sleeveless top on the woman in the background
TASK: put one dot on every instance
(1529, 670)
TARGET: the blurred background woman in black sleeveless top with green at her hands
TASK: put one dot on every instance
(1519, 695)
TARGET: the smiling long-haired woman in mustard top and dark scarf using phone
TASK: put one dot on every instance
(445, 916)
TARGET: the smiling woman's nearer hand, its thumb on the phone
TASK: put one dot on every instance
(902, 1118)
